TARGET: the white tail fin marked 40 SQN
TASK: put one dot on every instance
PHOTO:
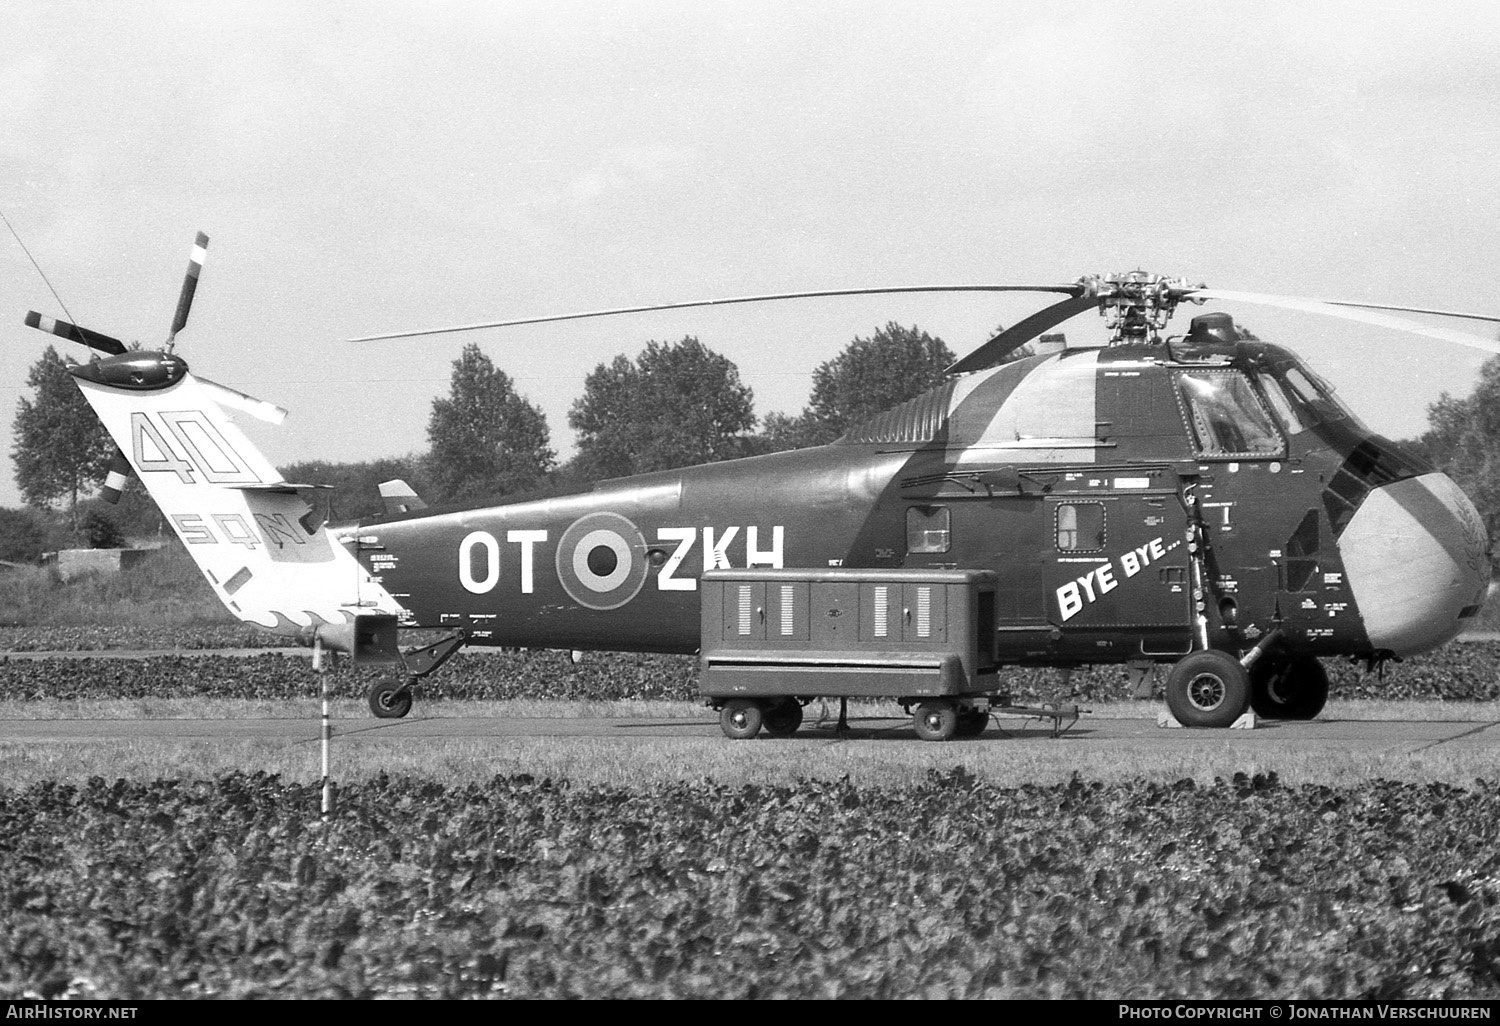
(253, 535)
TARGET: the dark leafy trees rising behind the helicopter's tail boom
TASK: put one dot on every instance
(674, 404)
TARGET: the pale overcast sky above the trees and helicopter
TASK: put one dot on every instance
(379, 167)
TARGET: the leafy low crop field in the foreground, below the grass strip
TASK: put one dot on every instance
(946, 889)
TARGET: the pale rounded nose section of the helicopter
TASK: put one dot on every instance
(1417, 559)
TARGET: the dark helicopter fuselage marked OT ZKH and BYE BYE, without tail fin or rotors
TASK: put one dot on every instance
(1138, 503)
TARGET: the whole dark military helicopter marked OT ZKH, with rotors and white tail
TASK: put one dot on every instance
(1201, 502)
